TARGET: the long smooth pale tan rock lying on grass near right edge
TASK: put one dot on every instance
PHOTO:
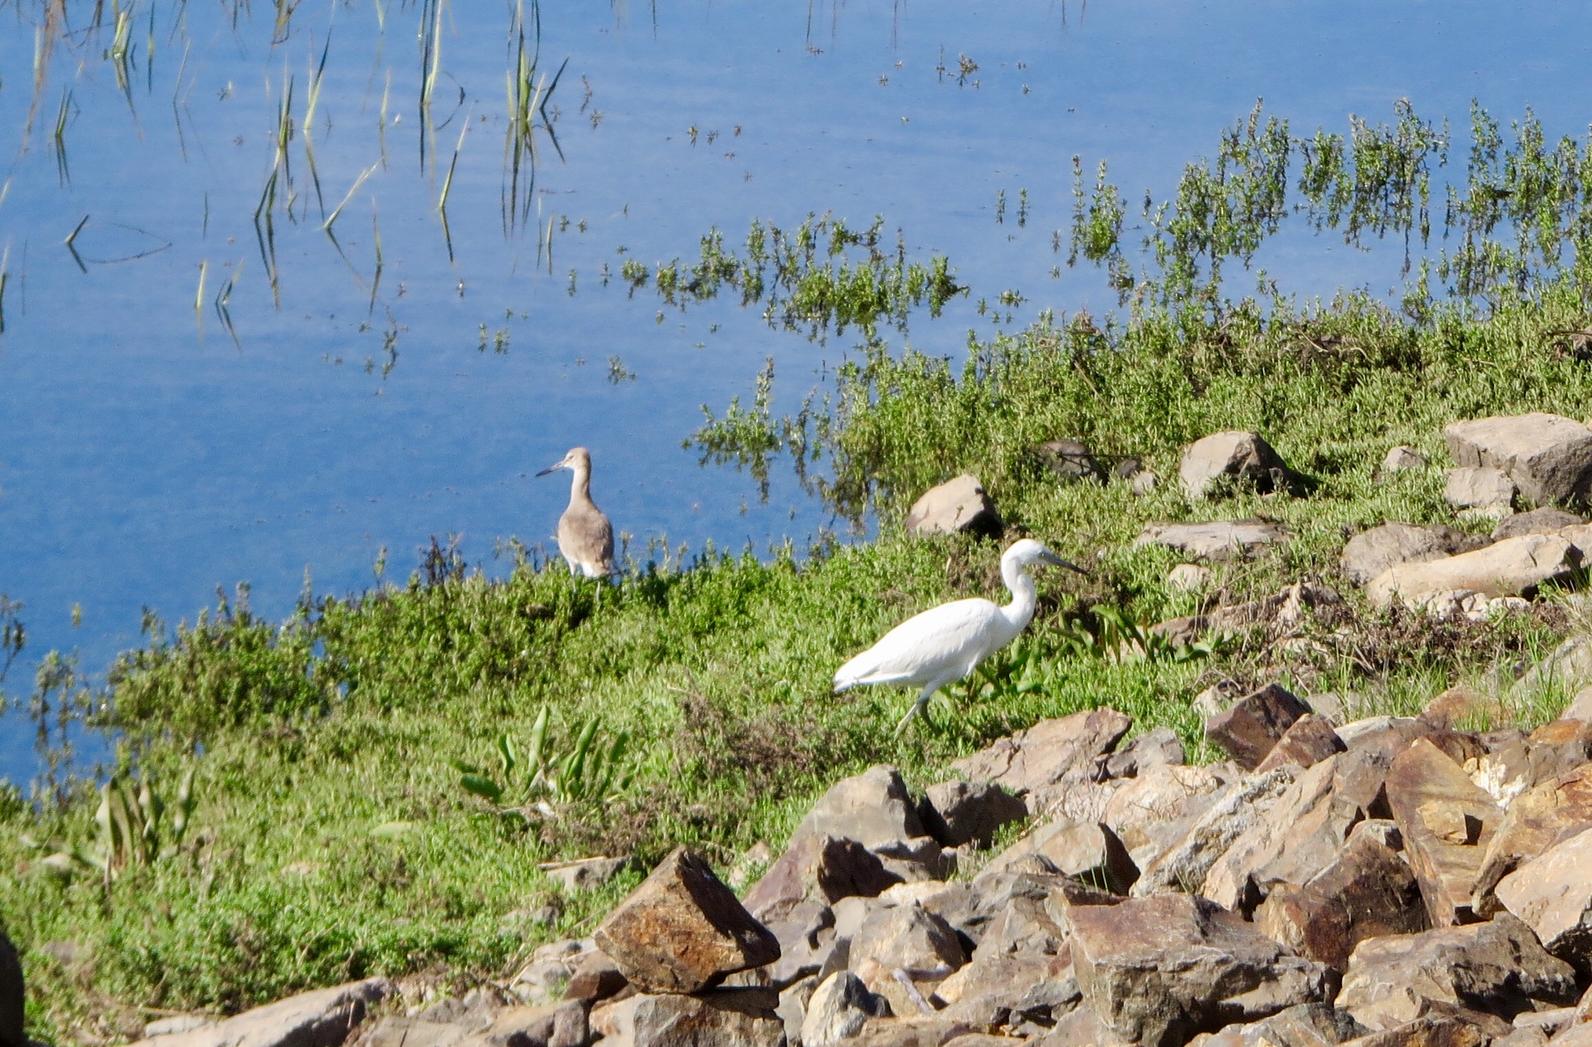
(1512, 567)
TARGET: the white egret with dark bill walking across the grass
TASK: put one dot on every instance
(946, 644)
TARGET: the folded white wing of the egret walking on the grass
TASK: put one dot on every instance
(926, 647)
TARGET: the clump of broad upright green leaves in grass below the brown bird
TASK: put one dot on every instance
(590, 768)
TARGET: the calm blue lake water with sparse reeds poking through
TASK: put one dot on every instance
(310, 402)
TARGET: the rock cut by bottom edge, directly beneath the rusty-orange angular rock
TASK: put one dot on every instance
(730, 1018)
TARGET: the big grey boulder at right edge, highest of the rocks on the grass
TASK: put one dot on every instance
(1550, 457)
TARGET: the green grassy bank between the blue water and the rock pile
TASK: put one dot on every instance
(332, 835)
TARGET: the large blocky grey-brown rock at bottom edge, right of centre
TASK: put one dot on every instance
(1160, 970)
